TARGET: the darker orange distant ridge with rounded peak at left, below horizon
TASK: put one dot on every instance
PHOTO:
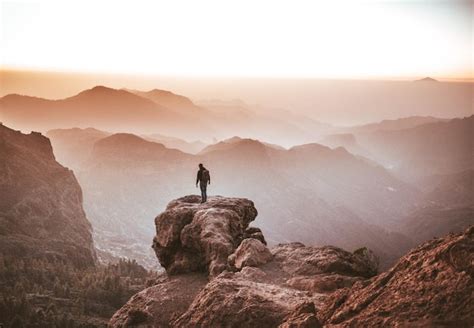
(101, 107)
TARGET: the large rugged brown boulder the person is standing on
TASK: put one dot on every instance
(191, 236)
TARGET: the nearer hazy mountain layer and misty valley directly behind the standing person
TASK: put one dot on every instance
(309, 193)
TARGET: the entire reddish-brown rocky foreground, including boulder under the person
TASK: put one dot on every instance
(220, 273)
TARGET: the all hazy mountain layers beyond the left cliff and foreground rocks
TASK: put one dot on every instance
(365, 189)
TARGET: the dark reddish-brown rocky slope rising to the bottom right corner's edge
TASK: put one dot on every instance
(432, 286)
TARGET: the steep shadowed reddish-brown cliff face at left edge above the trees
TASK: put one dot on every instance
(41, 212)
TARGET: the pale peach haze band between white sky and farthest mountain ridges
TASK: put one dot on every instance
(334, 101)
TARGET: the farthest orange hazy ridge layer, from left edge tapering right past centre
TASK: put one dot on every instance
(155, 111)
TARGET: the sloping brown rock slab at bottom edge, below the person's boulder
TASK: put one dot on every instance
(234, 302)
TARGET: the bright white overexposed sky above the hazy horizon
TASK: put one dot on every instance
(294, 39)
